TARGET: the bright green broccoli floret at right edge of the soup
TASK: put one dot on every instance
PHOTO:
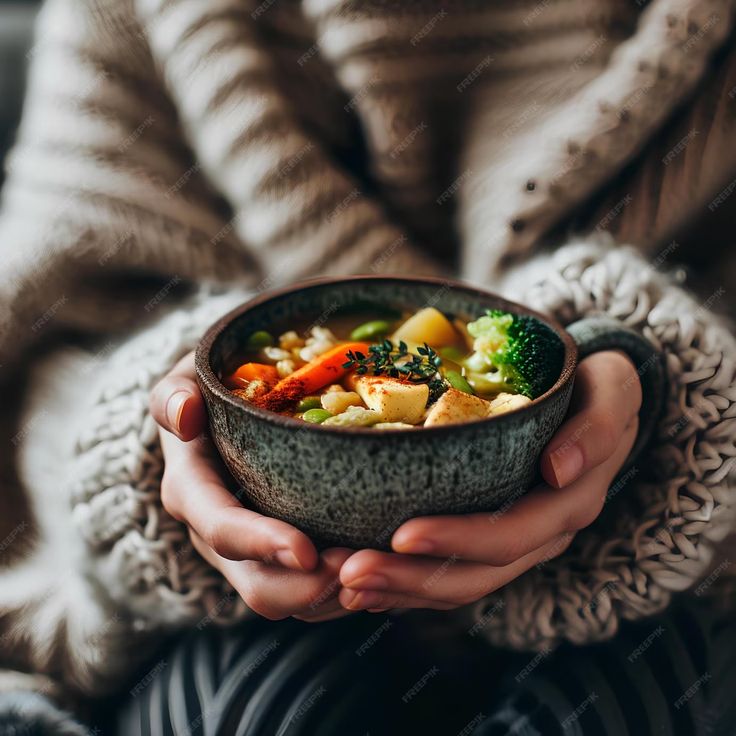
(513, 353)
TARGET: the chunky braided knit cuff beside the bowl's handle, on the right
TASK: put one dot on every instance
(662, 516)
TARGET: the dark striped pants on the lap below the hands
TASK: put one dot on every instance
(378, 674)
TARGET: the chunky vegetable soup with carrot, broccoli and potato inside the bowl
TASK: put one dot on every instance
(388, 369)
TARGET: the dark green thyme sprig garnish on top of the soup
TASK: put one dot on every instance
(386, 359)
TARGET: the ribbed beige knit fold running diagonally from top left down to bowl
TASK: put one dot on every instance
(270, 132)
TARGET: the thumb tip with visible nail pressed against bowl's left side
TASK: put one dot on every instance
(176, 402)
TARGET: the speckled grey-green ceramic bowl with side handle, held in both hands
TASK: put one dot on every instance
(355, 486)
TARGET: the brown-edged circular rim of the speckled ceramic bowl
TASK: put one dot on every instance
(207, 376)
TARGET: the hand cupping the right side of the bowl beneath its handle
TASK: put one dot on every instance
(443, 562)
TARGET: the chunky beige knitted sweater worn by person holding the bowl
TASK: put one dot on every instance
(176, 157)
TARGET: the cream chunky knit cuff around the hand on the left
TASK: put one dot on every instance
(141, 554)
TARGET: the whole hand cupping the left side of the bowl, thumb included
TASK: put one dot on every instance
(273, 566)
